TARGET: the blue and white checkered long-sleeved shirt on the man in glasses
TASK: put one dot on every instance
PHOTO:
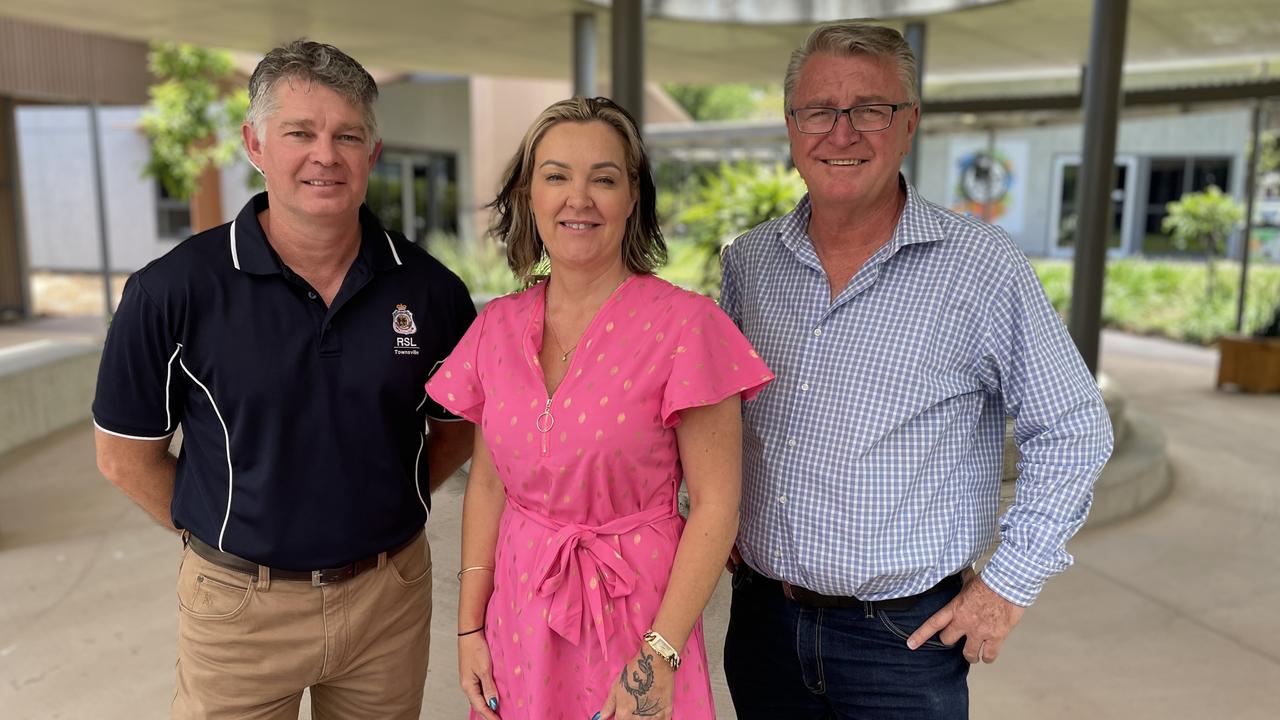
(871, 467)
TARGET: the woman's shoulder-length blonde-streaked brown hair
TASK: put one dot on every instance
(643, 247)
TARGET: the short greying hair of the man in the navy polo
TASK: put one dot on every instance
(313, 63)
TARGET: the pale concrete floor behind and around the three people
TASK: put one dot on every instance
(1171, 614)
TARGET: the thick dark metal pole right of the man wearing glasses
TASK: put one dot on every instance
(1098, 170)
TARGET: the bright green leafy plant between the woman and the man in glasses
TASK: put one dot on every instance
(734, 202)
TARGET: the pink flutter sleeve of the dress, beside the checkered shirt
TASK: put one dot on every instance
(711, 362)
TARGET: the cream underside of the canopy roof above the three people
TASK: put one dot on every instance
(534, 38)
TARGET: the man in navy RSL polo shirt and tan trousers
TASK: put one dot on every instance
(292, 347)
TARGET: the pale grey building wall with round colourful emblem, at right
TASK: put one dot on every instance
(1220, 133)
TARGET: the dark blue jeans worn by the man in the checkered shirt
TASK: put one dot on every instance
(785, 660)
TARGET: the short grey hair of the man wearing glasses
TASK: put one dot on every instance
(847, 40)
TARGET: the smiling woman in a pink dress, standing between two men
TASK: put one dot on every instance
(595, 393)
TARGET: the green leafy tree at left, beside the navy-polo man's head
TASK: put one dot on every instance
(194, 117)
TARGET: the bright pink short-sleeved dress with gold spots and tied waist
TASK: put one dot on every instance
(589, 535)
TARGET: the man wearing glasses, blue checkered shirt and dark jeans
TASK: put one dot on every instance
(902, 336)
